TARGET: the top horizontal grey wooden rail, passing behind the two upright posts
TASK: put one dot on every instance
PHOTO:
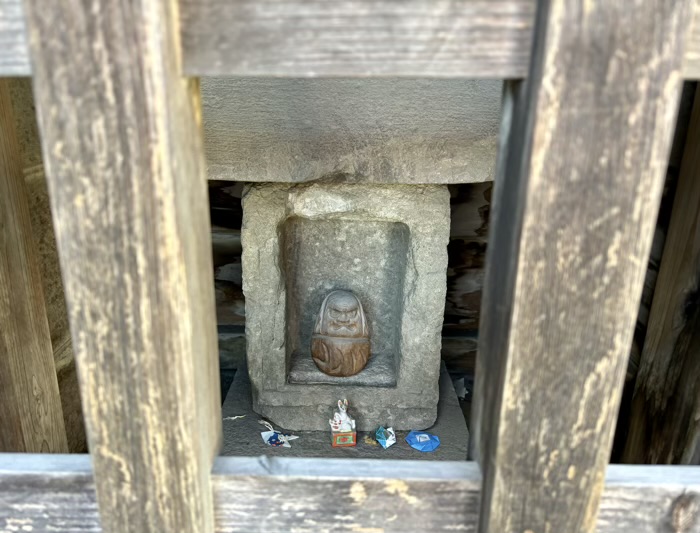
(310, 38)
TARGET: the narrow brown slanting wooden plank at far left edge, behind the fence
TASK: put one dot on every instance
(31, 418)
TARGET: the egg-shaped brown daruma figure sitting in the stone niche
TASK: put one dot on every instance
(340, 343)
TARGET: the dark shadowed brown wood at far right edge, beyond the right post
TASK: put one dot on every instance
(664, 427)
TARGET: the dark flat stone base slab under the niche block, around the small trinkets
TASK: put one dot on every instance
(242, 435)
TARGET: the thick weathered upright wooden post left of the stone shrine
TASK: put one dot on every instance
(122, 145)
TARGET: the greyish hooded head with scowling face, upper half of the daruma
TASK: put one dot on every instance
(342, 316)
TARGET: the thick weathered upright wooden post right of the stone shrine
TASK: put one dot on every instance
(580, 176)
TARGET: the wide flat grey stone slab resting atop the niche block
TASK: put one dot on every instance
(369, 130)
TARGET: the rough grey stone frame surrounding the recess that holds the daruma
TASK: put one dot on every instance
(424, 211)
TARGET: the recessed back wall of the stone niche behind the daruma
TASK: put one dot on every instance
(366, 257)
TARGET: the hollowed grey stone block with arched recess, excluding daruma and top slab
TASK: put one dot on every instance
(387, 245)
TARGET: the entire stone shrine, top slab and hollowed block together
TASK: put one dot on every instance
(347, 191)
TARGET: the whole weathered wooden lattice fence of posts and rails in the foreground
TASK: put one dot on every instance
(589, 112)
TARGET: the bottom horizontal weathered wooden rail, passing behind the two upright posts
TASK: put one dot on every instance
(283, 494)
